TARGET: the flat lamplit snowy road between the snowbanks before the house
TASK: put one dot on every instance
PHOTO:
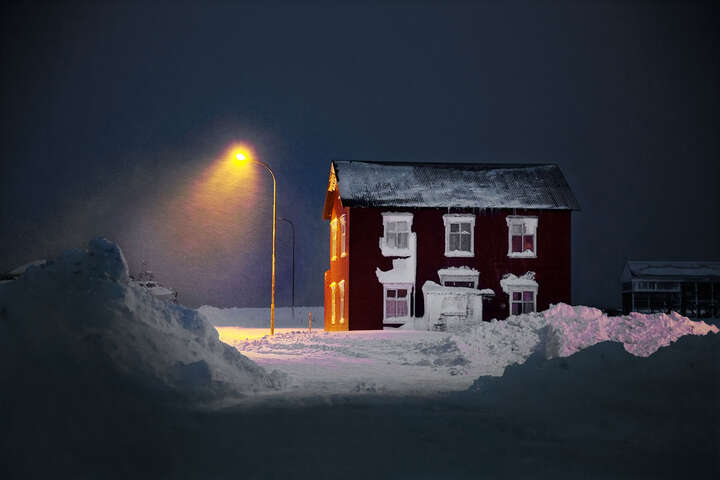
(397, 361)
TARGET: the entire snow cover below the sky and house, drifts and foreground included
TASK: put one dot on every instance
(92, 370)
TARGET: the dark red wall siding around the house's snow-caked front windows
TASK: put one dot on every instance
(552, 265)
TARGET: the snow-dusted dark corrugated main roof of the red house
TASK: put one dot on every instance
(480, 185)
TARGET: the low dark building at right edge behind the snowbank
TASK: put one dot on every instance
(689, 288)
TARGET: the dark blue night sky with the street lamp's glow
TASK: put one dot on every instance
(113, 111)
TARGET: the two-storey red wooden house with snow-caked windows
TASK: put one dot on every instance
(432, 241)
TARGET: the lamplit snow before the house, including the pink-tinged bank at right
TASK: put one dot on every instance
(411, 362)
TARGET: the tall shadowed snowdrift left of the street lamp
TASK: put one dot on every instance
(81, 308)
